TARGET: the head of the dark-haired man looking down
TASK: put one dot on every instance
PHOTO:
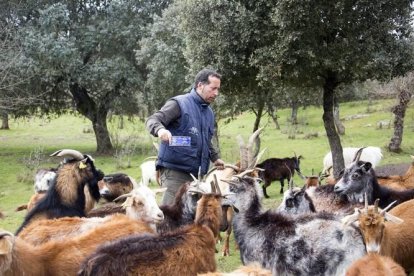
(207, 84)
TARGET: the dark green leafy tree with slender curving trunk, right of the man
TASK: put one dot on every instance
(328, 43)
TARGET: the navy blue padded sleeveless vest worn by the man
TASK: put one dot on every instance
(197, 122)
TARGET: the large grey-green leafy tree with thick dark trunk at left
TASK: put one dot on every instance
(81, 56)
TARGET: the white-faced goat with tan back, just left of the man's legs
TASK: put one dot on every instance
(140, 205)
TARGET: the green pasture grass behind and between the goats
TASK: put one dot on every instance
(44, 136)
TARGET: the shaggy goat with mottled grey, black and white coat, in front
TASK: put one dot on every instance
(311, 244)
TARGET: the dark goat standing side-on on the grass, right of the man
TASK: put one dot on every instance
(278, 169)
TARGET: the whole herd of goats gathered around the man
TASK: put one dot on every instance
(358, 224)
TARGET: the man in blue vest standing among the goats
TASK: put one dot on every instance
(185, 125)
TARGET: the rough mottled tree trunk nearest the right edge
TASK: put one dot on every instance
(399, 111)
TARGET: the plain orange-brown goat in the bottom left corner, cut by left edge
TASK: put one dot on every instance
(17, 257)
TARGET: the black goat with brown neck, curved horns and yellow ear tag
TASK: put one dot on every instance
(66, 196)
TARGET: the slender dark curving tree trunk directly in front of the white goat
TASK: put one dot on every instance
(328, 120)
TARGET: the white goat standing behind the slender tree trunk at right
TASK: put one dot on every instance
(370, 154)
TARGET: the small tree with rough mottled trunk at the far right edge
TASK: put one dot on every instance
(404, 86)
